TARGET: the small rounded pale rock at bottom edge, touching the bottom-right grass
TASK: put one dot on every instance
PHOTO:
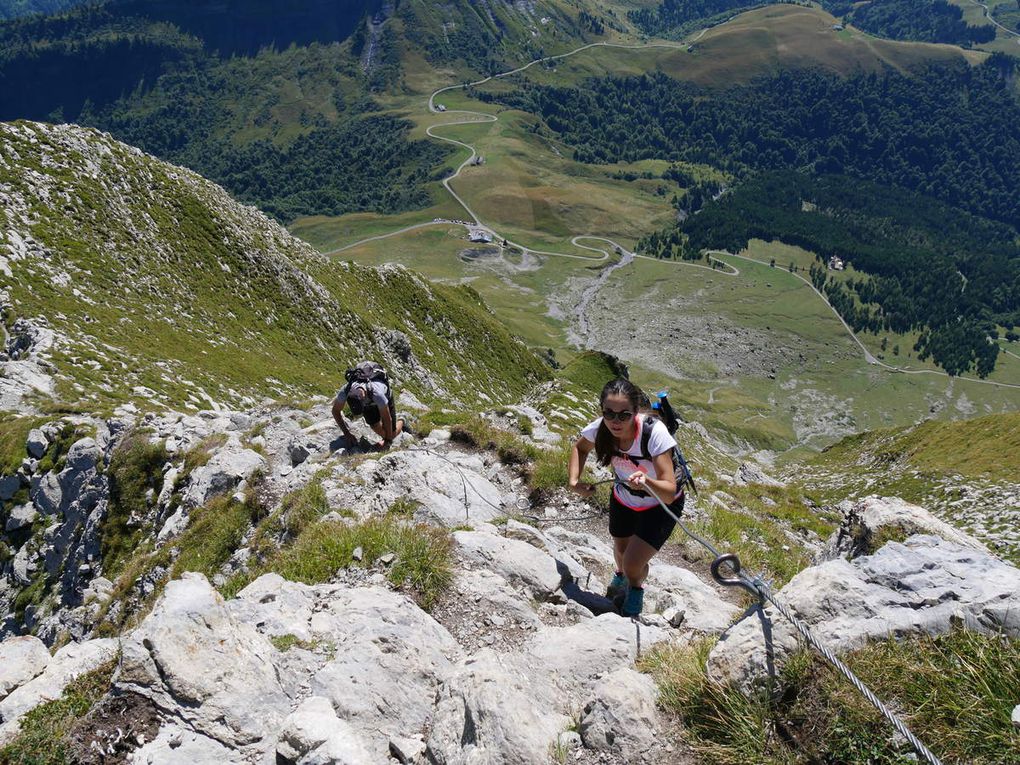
(622, 719)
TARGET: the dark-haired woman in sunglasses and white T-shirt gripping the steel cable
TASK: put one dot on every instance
(640, 451)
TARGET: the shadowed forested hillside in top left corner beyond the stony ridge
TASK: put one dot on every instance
(271, 99)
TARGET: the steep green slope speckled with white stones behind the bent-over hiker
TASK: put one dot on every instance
(138, 280)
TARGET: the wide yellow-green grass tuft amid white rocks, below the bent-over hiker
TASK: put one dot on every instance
(424, 556)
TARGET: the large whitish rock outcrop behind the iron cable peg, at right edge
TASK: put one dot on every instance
(923, 586)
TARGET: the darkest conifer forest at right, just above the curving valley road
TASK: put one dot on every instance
(951, 276)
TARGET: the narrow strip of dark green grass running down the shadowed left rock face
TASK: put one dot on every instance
(136, 469)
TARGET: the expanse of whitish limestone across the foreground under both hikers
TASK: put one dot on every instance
(507, 667)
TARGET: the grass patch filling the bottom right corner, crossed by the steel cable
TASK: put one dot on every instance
(956, 691)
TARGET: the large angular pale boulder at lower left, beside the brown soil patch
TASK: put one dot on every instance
(193, 659)
